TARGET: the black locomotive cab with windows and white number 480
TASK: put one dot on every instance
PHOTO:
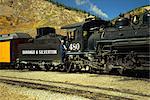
(78, 34)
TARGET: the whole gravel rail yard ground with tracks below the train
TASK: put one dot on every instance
(41, 85)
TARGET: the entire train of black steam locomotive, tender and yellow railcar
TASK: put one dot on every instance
(94, 45)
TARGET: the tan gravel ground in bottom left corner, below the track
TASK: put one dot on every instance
(9, 92)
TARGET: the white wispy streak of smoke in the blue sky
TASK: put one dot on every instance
(93, 8)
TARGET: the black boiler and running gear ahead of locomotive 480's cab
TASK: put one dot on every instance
(126, 45)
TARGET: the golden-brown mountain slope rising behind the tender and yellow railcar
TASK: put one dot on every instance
(27, 15)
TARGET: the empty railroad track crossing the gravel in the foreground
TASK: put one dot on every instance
(91, 92)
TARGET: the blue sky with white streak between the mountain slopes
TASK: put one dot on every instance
(105, 9)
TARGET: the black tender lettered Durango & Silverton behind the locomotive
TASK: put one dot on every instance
(42, 53)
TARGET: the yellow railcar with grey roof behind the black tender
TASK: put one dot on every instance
(8, 47)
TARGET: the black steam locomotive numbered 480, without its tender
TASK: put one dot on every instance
(97, 45)
